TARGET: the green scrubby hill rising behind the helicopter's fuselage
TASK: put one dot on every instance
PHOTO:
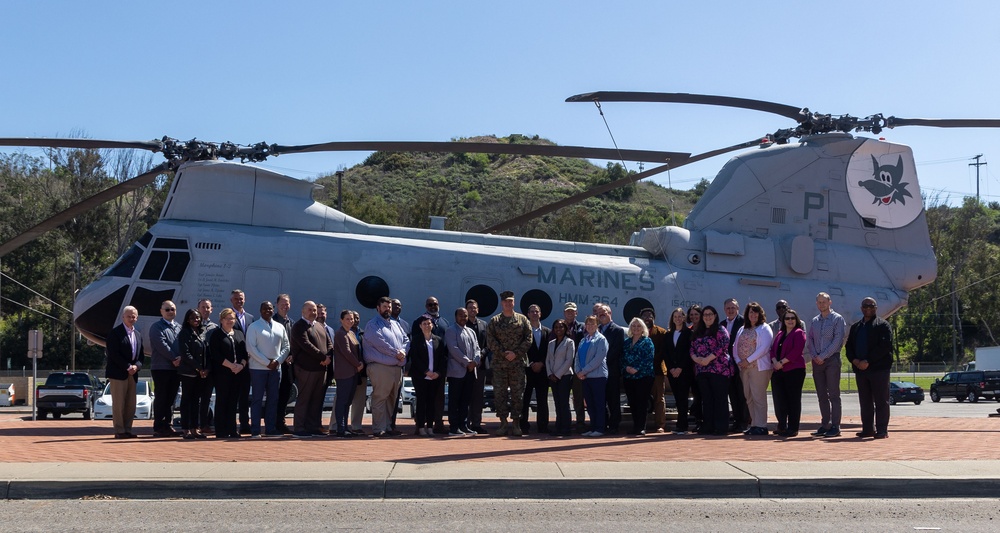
(476, 191)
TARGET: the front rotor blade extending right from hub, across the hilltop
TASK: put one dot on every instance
(486, 148)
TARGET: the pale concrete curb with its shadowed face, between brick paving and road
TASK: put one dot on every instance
(594, 480)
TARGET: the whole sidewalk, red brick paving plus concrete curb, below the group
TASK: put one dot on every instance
(74, 458)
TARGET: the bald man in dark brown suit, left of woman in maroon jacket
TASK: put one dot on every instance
(312, 350)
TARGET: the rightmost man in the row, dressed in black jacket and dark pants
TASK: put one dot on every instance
(869, 349)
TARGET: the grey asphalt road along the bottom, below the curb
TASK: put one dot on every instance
(815, 516)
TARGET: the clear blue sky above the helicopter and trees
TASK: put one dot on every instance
(311, 71)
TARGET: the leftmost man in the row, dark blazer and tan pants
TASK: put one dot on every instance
(123, 347)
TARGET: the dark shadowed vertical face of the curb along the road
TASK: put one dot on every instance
(534, 489)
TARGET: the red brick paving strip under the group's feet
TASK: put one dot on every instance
(910, 438)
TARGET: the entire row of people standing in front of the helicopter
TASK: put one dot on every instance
(725, 362)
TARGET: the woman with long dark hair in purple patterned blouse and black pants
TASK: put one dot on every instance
(709, 345)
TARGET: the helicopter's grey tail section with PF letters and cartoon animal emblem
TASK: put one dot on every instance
(833, 207)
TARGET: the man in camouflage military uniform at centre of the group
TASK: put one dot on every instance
(508, 336)
